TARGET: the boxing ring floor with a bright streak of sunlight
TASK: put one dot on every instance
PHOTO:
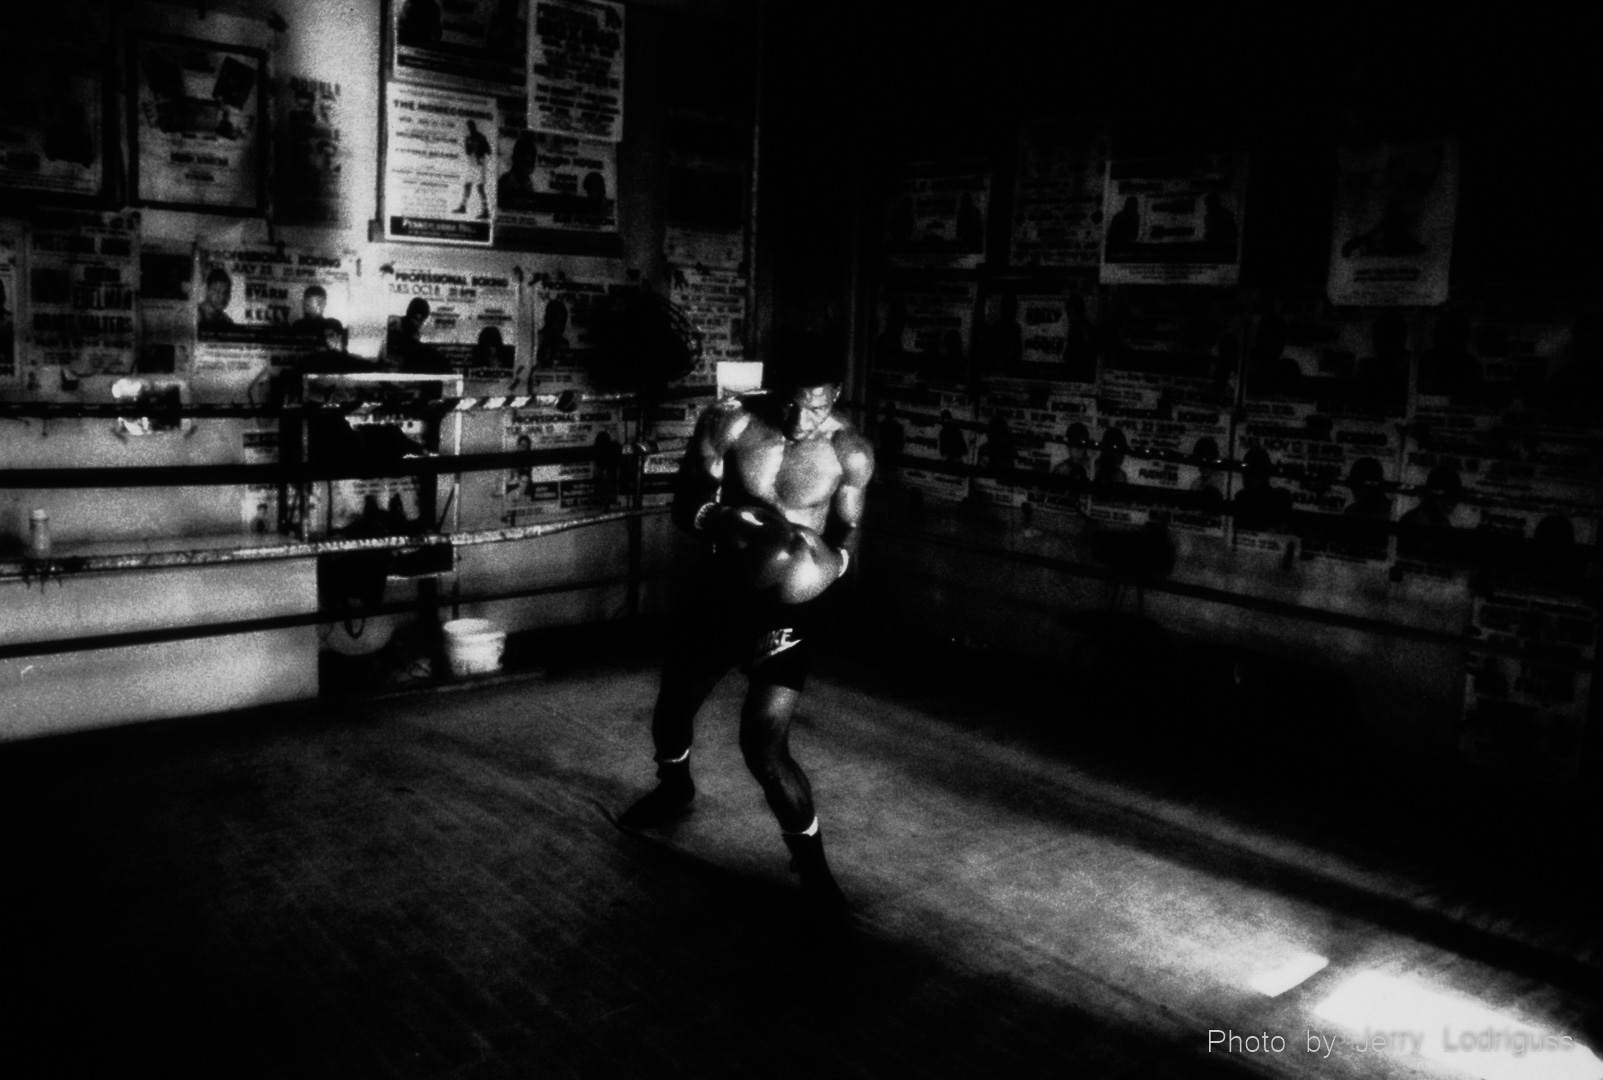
(427, 884)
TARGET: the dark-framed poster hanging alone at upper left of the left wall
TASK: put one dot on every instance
(198, 126)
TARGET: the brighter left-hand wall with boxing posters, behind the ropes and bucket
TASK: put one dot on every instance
(208, 204)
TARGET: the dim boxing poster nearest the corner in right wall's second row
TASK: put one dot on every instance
(924, 329)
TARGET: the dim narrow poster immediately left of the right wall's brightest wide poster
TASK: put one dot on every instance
(1059, 195)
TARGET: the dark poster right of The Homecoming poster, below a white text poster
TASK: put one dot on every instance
(554, 182)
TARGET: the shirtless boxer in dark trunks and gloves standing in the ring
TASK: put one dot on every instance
(777, 483)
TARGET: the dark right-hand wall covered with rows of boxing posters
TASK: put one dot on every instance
(1250, 337)
